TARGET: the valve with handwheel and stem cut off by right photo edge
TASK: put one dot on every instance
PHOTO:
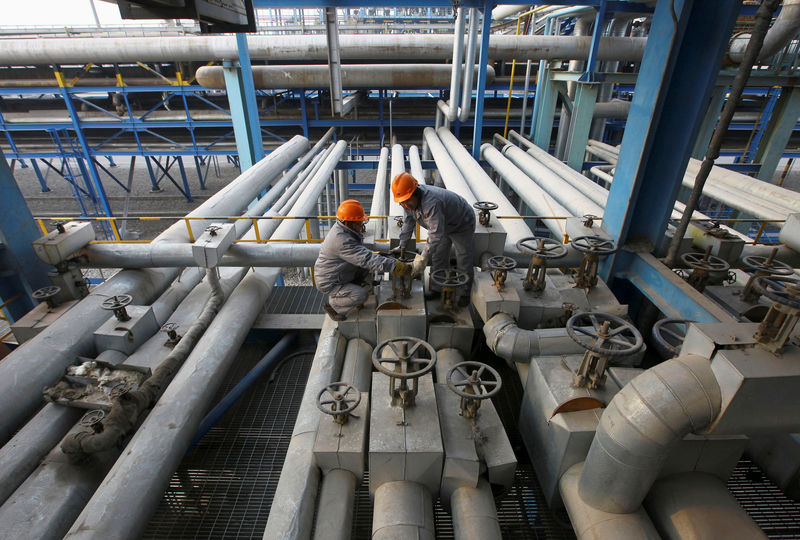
(780, 320)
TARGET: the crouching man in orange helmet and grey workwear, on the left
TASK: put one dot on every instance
(344, 266)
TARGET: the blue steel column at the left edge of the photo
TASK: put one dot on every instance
(22, 271)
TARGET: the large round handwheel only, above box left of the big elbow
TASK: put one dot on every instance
(617, 336)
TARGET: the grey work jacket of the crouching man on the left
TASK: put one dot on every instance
(343, 256)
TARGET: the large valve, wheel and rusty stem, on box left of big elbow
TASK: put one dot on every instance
(603, 336)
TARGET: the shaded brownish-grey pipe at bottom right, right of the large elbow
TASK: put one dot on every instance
(694, 506)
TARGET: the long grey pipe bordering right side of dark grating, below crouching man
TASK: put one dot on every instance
(292, 508)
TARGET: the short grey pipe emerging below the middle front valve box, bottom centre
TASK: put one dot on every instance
(402, 510)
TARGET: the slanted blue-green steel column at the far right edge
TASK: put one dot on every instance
(779, 129)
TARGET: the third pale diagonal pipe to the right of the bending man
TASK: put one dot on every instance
(537, 199)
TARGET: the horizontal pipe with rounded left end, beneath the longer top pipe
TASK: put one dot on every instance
(353, 76)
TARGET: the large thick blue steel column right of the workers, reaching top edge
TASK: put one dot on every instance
(678, 72)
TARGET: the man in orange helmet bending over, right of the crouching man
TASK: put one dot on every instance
(450, 221)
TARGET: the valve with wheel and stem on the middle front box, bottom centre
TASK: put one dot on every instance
(409, 365)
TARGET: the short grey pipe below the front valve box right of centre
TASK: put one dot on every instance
(474, 513)
